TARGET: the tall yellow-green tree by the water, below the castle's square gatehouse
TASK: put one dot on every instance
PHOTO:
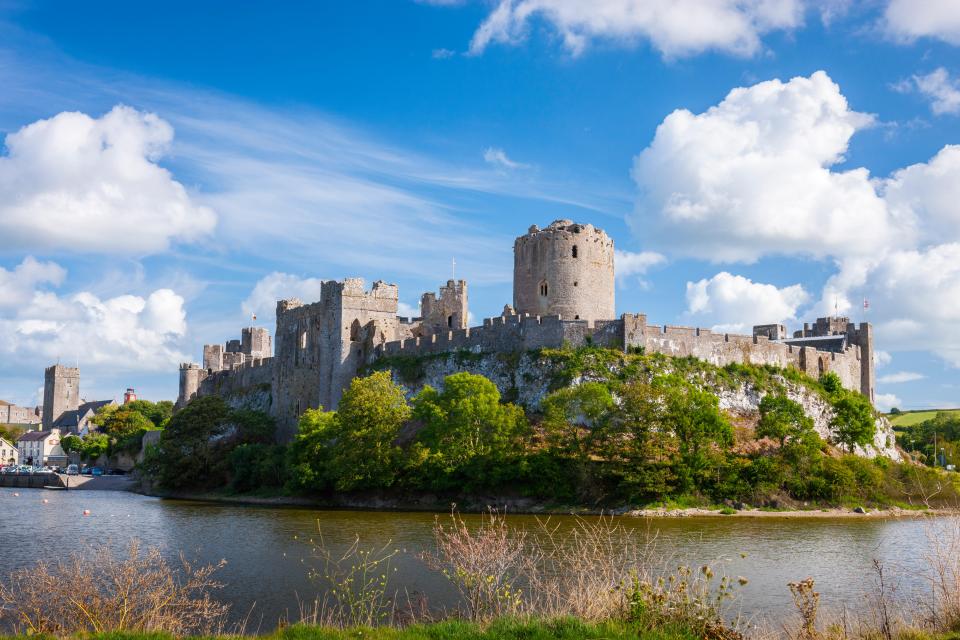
(364, 453)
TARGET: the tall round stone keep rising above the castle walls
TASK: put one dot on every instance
(566, 270)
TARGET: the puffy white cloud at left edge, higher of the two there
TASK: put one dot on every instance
(79, 184)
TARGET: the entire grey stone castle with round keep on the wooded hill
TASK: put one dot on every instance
(563, 294)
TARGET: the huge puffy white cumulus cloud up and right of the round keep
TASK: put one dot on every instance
(752, 176)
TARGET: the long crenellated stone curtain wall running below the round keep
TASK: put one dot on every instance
(631, 331)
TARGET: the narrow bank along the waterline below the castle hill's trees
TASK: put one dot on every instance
(525, 506)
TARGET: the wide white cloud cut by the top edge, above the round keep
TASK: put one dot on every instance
(676, 28)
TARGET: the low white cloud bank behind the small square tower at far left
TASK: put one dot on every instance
(122, 333)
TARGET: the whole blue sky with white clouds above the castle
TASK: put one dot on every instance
(169, 170)
